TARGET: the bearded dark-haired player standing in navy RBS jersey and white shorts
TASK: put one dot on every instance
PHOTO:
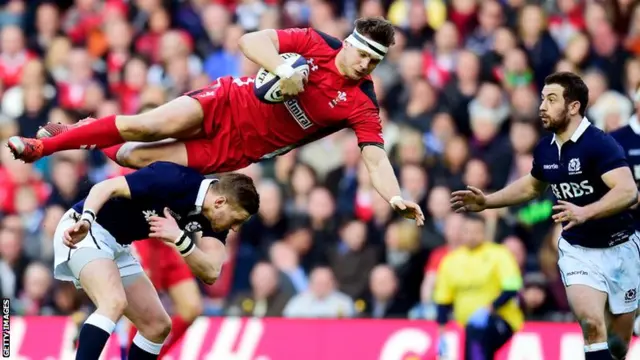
(599, 248)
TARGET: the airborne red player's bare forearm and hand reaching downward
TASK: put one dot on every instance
(384, 180)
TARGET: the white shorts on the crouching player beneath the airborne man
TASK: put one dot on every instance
(68, 262)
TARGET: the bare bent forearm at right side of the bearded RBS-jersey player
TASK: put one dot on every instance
(623, 194)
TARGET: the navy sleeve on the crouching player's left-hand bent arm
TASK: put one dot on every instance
(158, 180)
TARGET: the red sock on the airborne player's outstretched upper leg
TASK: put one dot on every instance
(98, 134)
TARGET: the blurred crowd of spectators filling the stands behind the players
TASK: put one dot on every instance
(458, 92)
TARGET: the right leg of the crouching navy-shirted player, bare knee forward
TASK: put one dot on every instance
(147, 314)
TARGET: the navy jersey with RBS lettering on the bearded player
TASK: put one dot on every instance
(574, 172)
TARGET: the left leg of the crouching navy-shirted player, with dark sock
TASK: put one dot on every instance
(100, 279)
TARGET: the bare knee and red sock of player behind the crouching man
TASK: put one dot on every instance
(187, 303)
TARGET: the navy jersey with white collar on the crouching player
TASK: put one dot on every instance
(159, 185)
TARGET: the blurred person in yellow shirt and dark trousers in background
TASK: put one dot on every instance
(479, 281)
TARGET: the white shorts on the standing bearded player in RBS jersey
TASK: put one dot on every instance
(614, 270)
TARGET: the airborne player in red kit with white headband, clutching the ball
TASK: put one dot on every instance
(225, 127)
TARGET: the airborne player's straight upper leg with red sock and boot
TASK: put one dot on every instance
(180, 116)
